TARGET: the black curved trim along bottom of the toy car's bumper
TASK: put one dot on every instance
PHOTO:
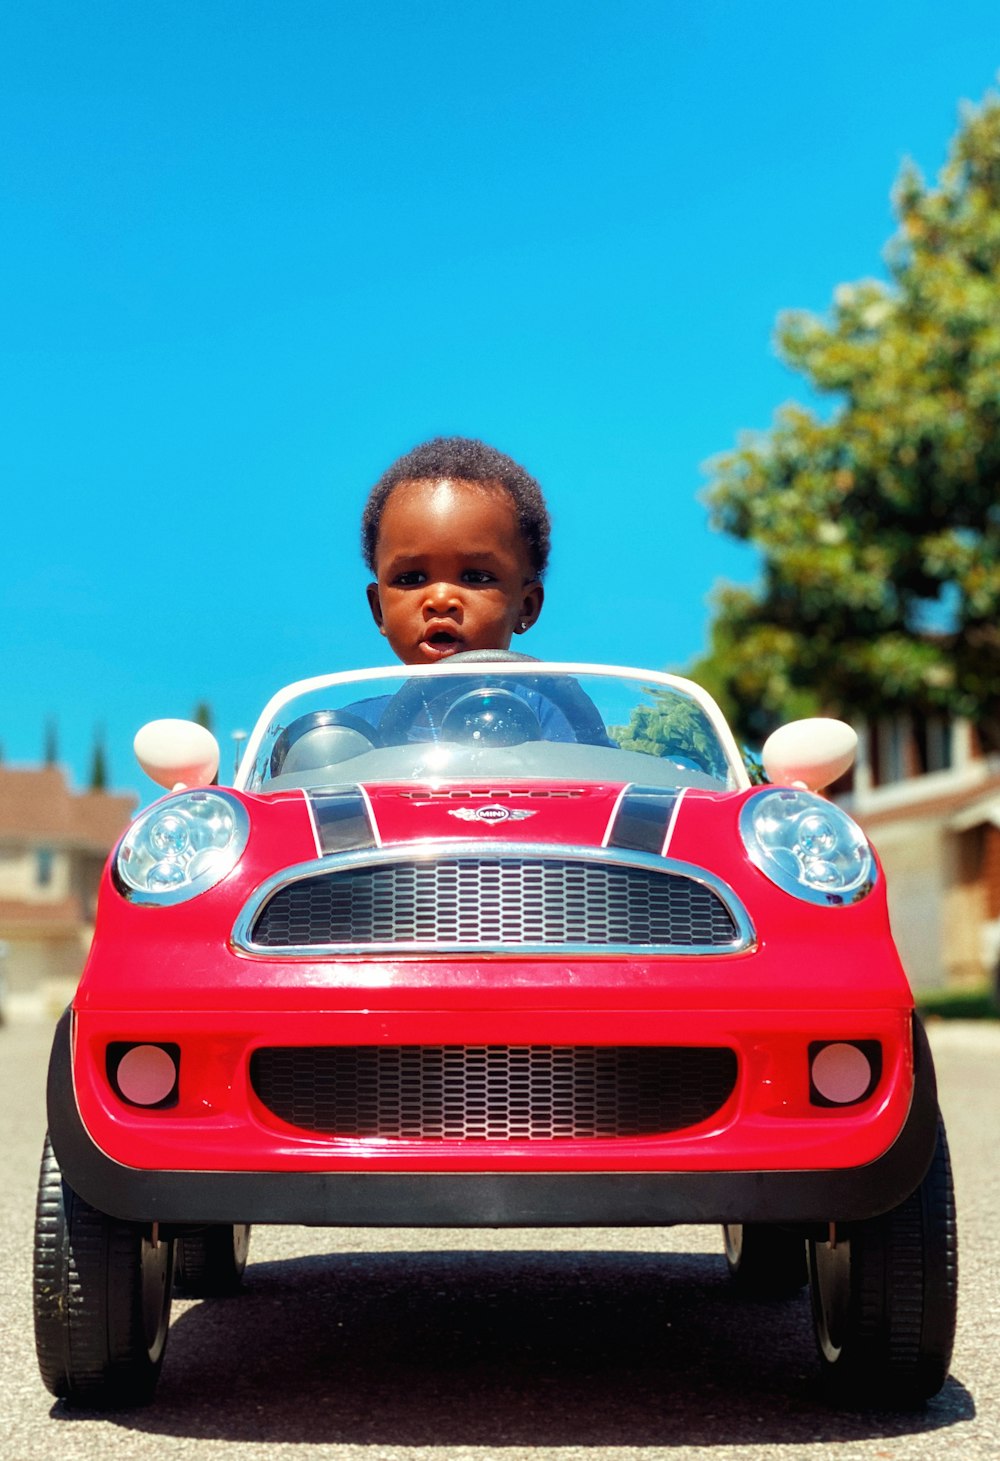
(492, 1193)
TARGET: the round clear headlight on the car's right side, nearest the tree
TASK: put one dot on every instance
(808, 847)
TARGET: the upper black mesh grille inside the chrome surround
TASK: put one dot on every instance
(463, 902)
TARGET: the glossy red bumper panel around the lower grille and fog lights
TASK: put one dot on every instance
(220, 1124)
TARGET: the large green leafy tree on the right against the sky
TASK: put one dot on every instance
(879, 521)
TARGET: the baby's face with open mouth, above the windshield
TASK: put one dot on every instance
(452, 572)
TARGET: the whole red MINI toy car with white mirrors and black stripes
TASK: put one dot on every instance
(495, 943)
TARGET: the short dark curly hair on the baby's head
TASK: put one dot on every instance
(469, 461)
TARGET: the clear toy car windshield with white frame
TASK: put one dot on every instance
(498, 721)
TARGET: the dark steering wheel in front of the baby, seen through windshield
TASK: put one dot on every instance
(562, 692)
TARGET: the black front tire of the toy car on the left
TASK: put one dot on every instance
(103, 1297)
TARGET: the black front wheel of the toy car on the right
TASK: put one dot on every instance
(884, 1295)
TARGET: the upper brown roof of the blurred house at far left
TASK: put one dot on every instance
(39, 806)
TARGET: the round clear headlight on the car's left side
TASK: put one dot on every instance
(182, 847)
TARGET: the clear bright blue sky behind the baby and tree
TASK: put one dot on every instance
(252, 252)
